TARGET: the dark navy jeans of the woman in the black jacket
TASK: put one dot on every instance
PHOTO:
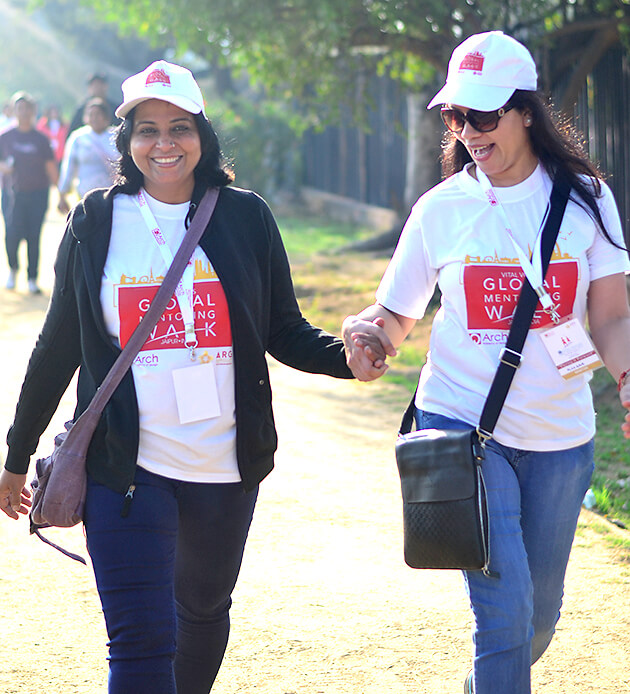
(165, 574)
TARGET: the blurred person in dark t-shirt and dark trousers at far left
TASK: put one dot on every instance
(27, 157)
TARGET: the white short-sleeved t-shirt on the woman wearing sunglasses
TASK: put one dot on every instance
(455, 237)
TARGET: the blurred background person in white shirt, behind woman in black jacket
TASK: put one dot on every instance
(90, 155)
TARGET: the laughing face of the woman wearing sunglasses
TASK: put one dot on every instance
(505, 155)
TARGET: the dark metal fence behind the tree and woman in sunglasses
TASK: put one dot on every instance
(369, 166)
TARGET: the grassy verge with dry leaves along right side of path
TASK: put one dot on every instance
(331, 284)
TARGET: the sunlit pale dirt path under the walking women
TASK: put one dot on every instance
(325, 604)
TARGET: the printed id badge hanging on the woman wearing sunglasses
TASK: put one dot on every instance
(571, 348)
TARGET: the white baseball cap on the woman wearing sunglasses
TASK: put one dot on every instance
(485, 70)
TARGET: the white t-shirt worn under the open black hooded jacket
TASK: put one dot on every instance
(197, 451)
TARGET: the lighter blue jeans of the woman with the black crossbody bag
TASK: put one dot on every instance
(534, 501)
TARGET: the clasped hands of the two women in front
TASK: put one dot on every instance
(367, 347)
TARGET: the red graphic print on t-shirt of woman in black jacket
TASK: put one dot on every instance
(212, 322)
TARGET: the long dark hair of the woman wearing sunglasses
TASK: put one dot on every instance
(558, 148)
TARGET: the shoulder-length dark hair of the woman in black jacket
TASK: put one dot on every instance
(210, 171)
